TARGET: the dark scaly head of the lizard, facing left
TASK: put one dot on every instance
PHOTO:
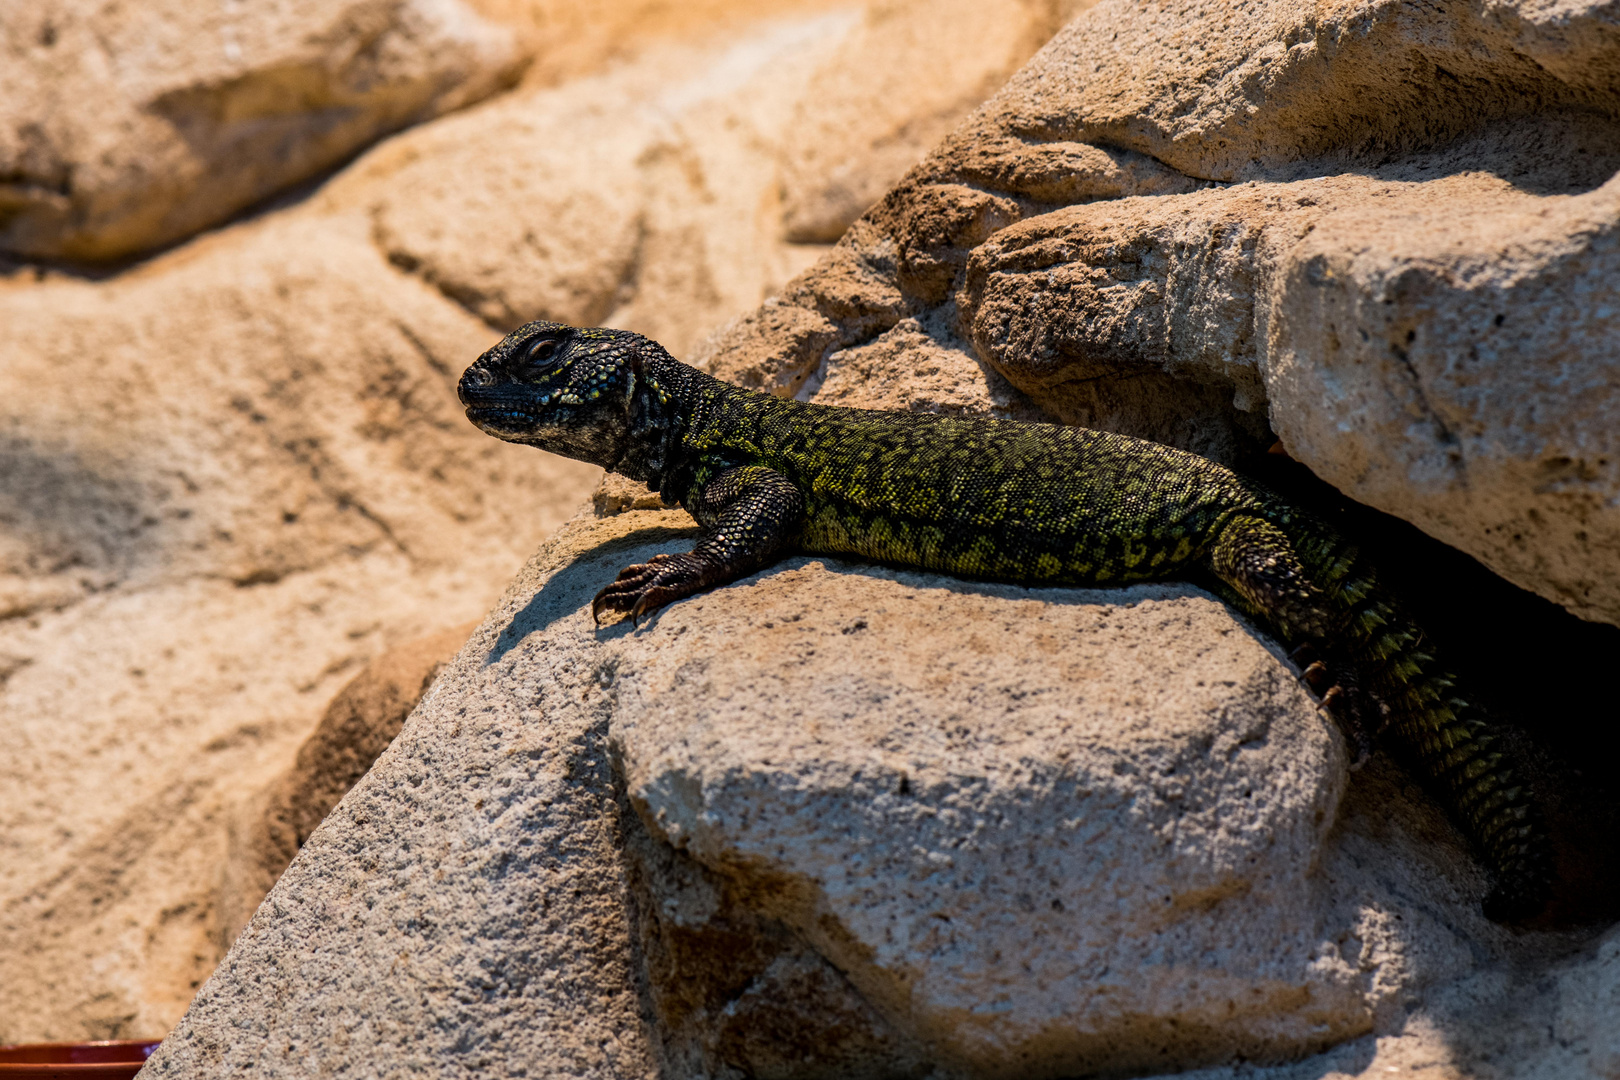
(558, 388)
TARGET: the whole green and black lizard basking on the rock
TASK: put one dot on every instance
(1033, 504)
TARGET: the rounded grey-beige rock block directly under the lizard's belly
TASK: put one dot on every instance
(1025, 827)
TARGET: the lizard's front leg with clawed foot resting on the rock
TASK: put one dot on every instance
(751, 517)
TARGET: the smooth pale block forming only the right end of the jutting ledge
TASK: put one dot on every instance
(1457, 362)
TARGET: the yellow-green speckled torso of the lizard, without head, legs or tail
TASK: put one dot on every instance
(1034, 504)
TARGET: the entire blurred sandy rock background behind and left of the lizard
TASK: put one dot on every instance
(236, 474)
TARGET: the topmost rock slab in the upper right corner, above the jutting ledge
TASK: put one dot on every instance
(1237, 90)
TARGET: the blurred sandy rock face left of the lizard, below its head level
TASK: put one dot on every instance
(226, 482)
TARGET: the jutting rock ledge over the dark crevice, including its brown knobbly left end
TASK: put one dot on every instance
(1436, 338)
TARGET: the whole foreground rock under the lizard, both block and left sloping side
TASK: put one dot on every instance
(1101, 830)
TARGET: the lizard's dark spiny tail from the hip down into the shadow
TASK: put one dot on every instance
(1315, 587)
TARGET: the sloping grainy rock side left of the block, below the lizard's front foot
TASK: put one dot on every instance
(493, 865)
